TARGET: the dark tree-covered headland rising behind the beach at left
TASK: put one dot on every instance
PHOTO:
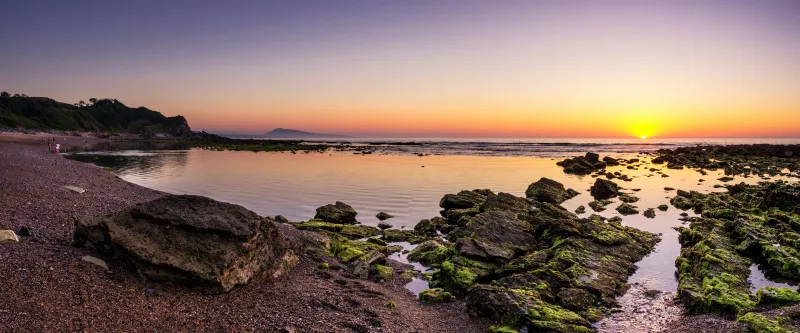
(104, 115)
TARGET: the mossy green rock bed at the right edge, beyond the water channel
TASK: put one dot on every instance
(735, 231)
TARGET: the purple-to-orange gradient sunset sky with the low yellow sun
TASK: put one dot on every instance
(550, 68)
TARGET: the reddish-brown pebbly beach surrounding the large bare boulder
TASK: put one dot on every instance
(46, 287)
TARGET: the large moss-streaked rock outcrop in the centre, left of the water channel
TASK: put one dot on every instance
(526, 262)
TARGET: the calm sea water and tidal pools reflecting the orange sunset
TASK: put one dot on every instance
(395, 180)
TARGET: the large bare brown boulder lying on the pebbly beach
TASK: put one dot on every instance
(190, 239)
